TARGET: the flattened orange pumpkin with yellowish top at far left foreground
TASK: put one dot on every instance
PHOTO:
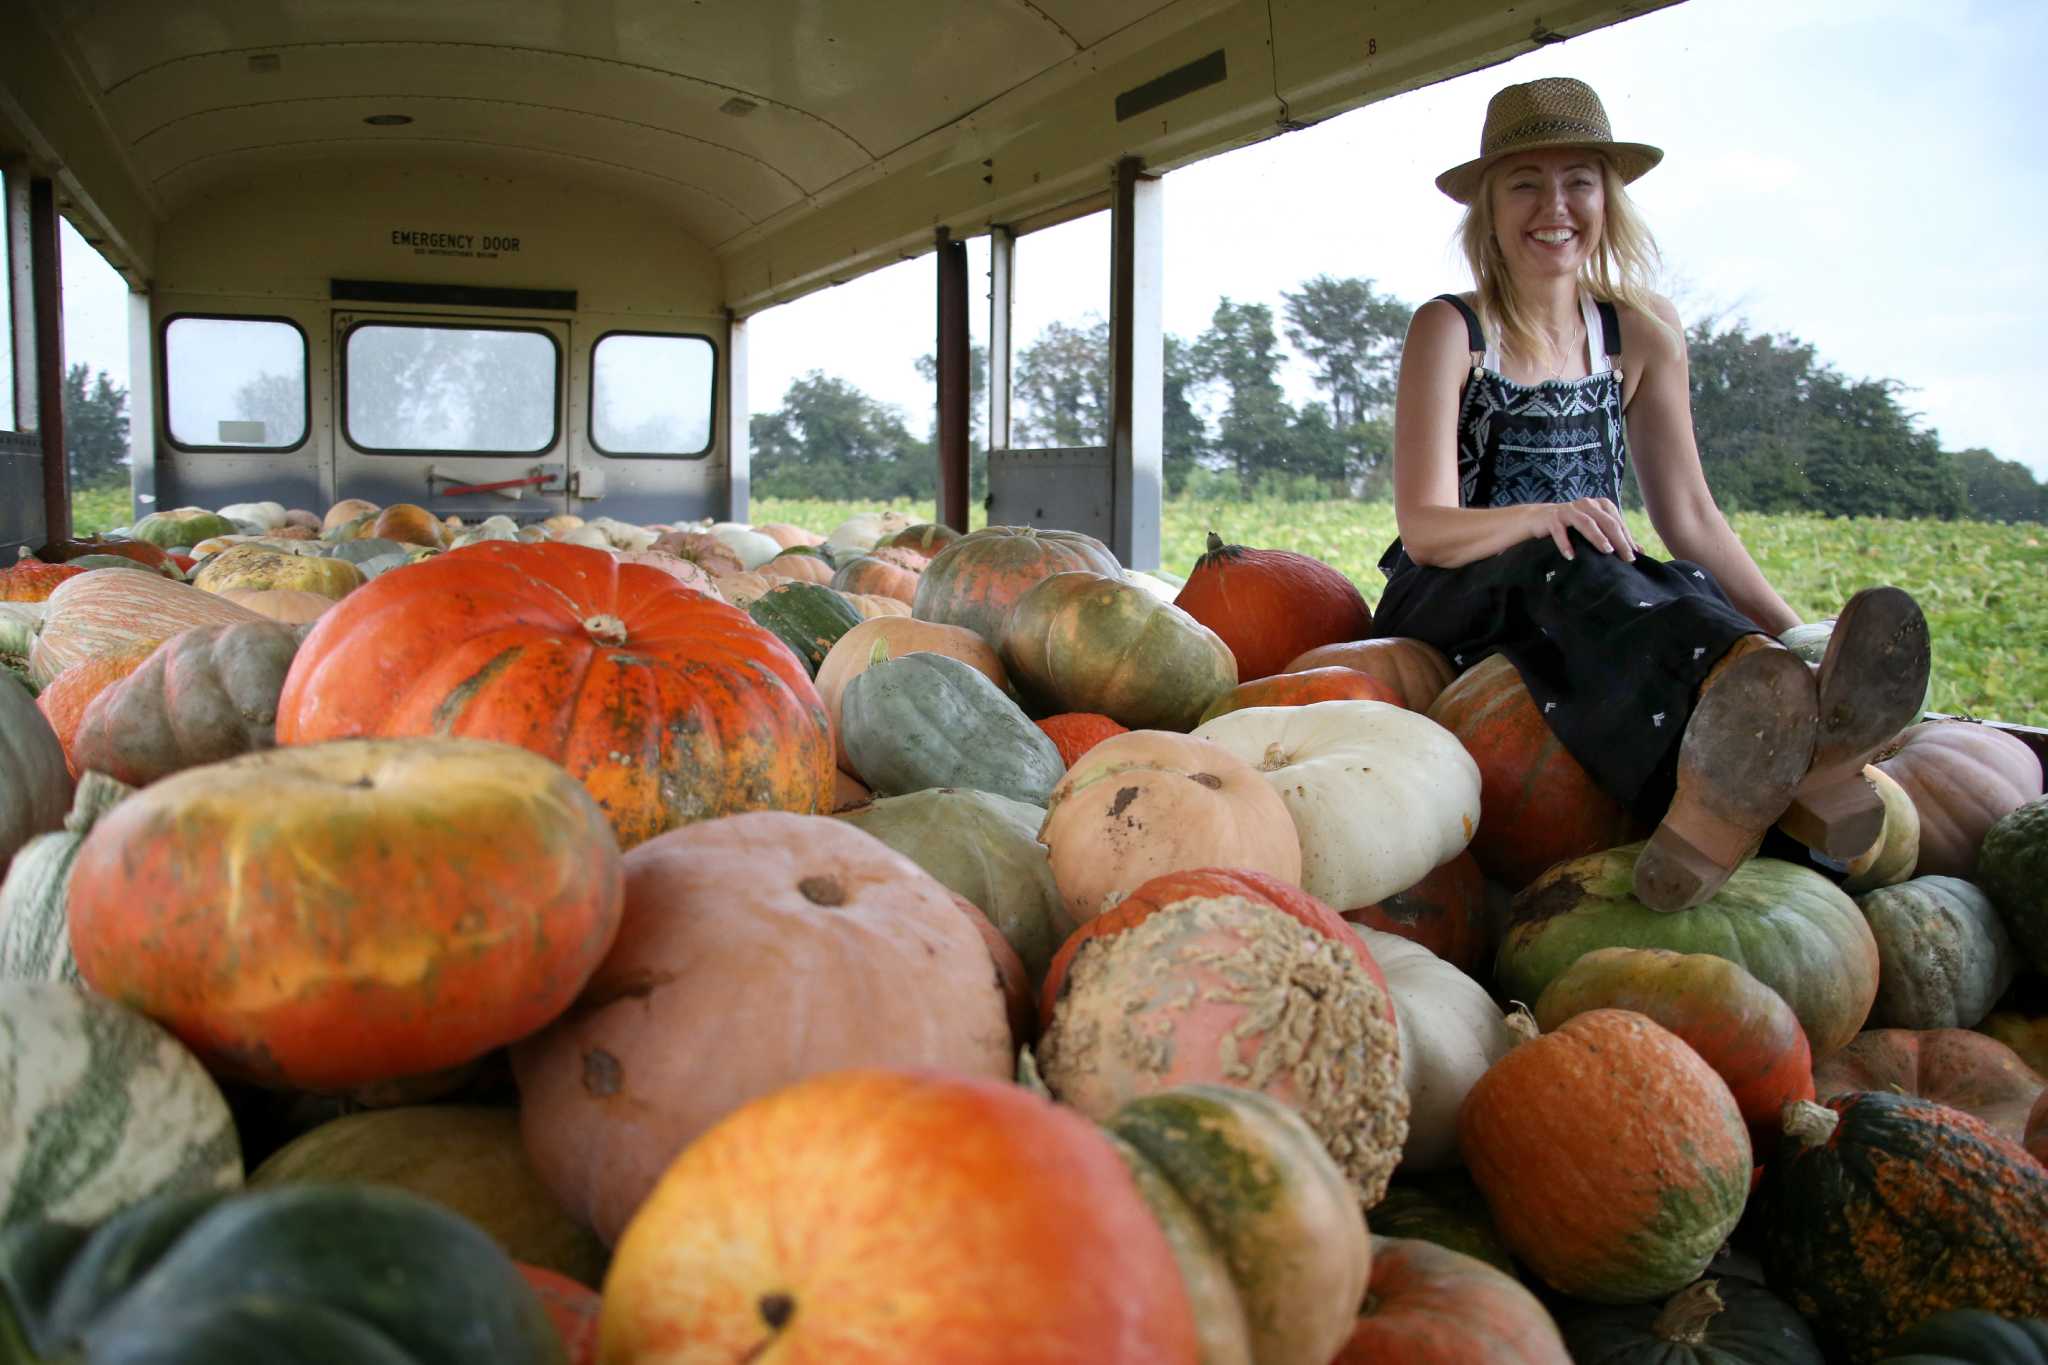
(335, 916)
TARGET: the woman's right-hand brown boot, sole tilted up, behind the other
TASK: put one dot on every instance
(1873, 682)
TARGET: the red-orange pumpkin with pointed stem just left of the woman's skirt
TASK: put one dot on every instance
(1271, 605)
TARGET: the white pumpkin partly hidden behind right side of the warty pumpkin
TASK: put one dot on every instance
(1451, 1034)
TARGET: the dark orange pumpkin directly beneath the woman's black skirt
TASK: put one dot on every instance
(1537, 807)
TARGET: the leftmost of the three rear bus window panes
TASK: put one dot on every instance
(234, 382)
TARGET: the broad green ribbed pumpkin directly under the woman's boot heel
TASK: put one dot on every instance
(1791, 928)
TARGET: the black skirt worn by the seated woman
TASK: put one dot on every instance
(1613, 652)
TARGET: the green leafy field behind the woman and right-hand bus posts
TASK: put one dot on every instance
(1979, 584)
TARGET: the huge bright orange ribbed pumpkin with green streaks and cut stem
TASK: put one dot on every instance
(667, 705)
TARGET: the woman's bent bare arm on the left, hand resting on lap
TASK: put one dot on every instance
(1435, 529)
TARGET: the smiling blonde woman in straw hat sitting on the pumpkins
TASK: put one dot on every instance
(1517, 412)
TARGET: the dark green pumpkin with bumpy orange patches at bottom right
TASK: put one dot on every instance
(1904, 1210)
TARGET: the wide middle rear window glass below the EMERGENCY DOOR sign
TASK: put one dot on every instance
(474, 390)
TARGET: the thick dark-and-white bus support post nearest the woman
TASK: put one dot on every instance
(1138, 363)
